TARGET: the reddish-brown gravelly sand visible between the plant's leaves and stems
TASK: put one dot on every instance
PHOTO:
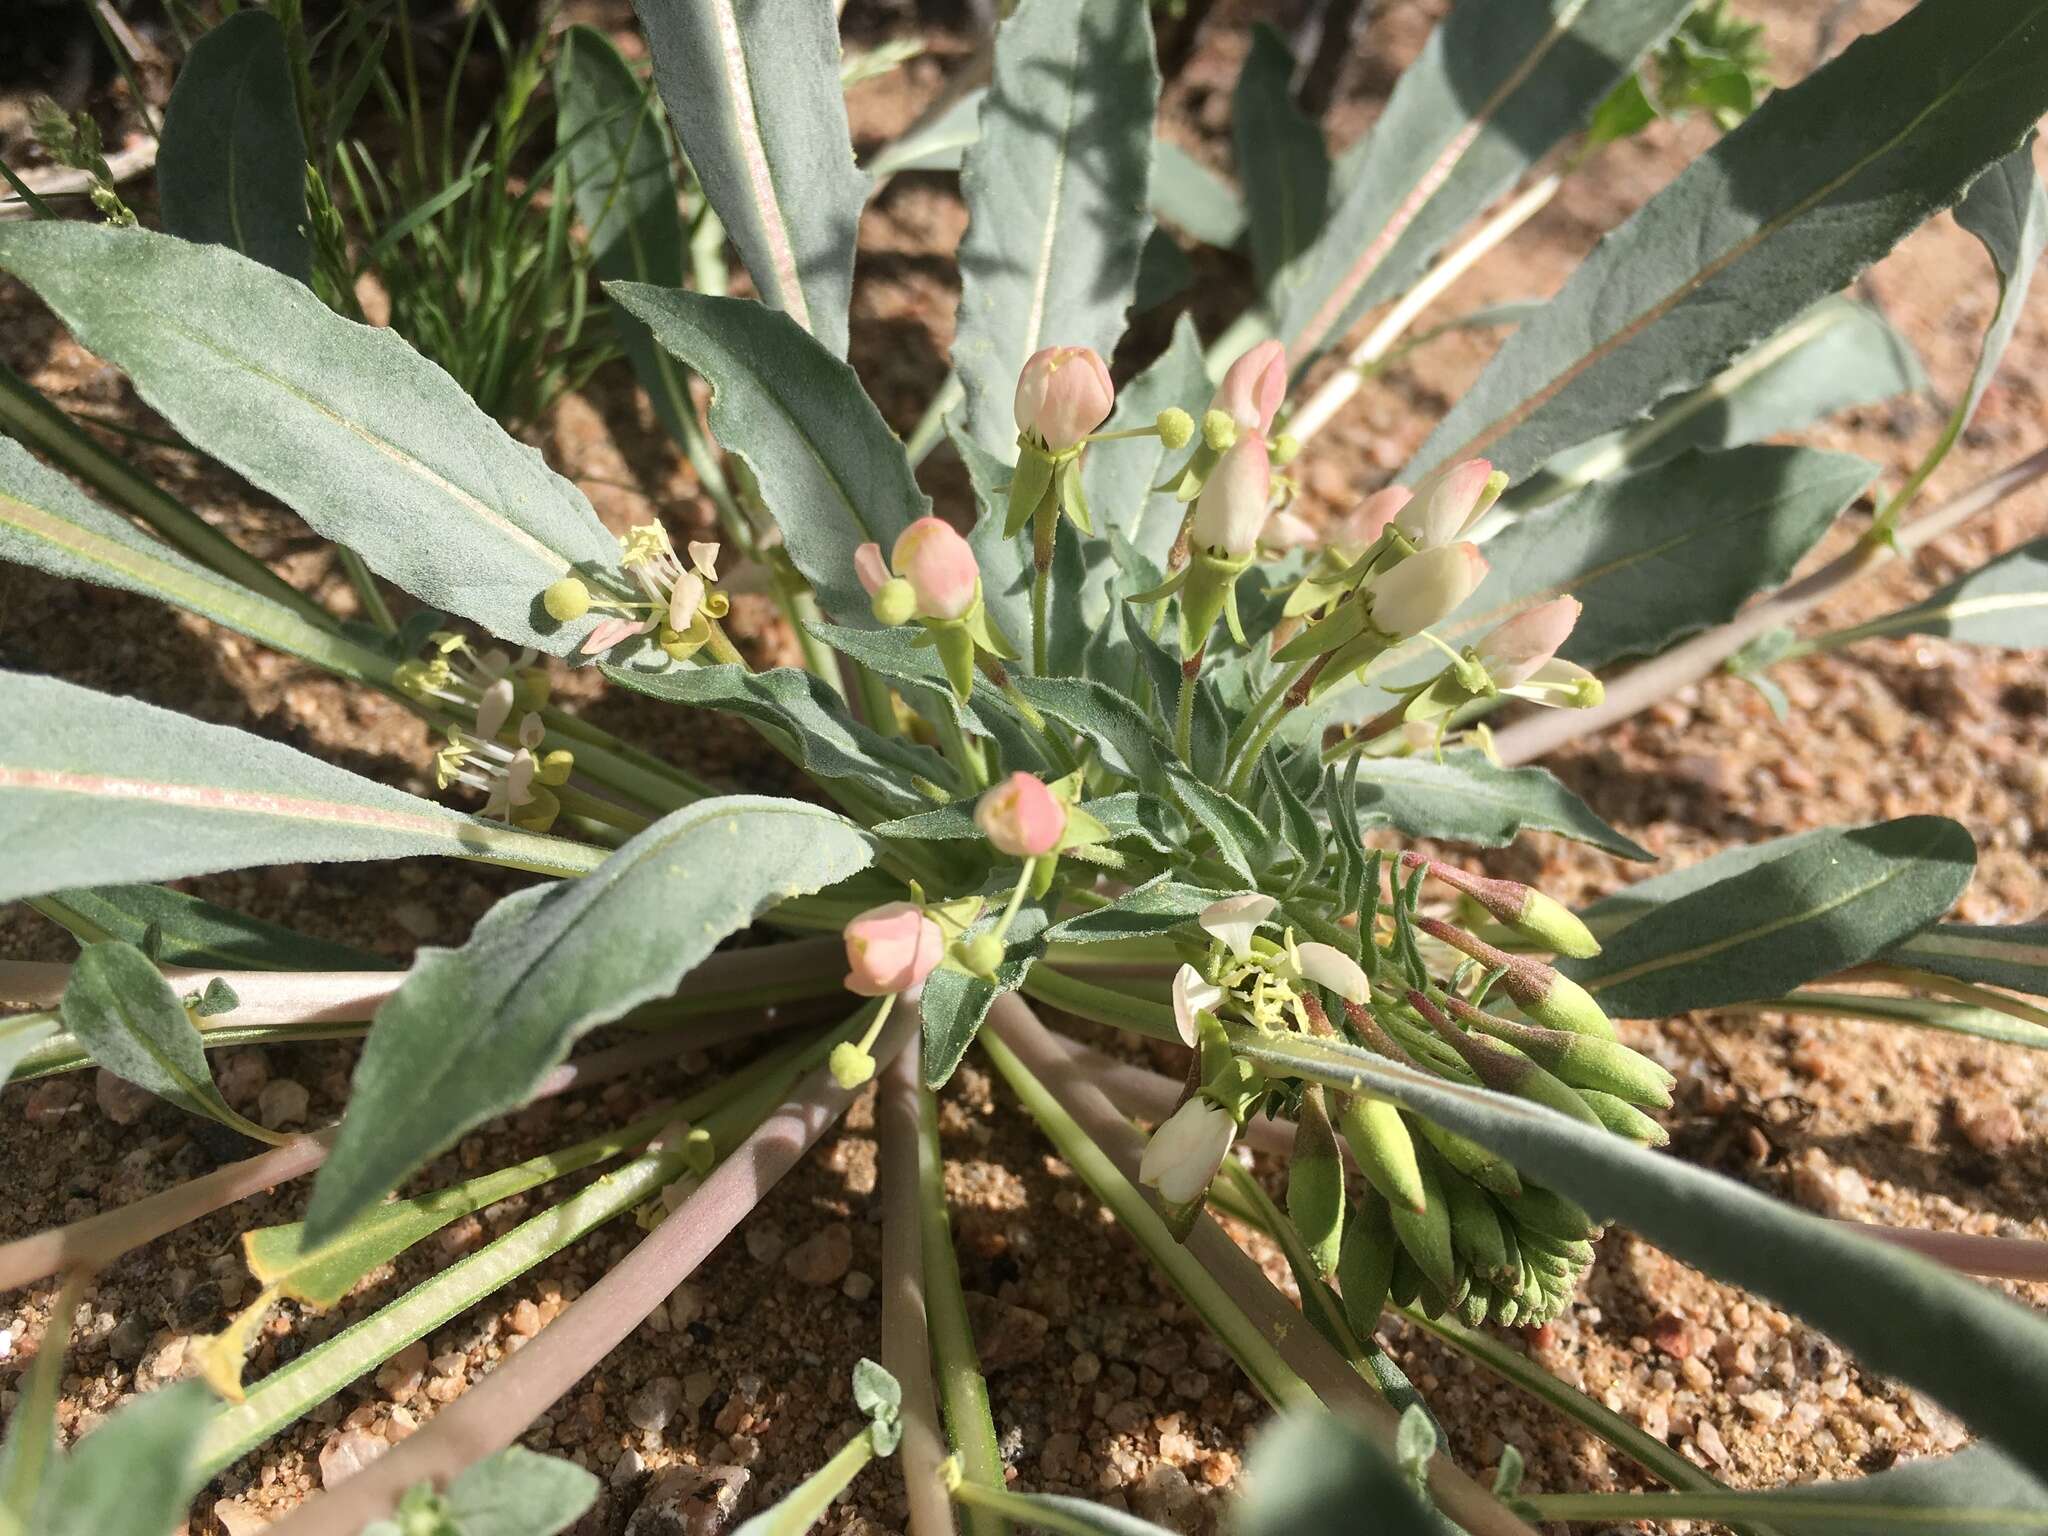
(1103, 1381)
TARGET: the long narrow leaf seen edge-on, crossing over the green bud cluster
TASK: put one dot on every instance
(1963, 1345)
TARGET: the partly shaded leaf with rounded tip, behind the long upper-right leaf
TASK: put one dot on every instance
(1836, 355)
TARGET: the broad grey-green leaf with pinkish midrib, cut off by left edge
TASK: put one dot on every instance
(114, 792)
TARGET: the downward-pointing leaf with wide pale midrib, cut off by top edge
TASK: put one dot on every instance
(755, 93)
